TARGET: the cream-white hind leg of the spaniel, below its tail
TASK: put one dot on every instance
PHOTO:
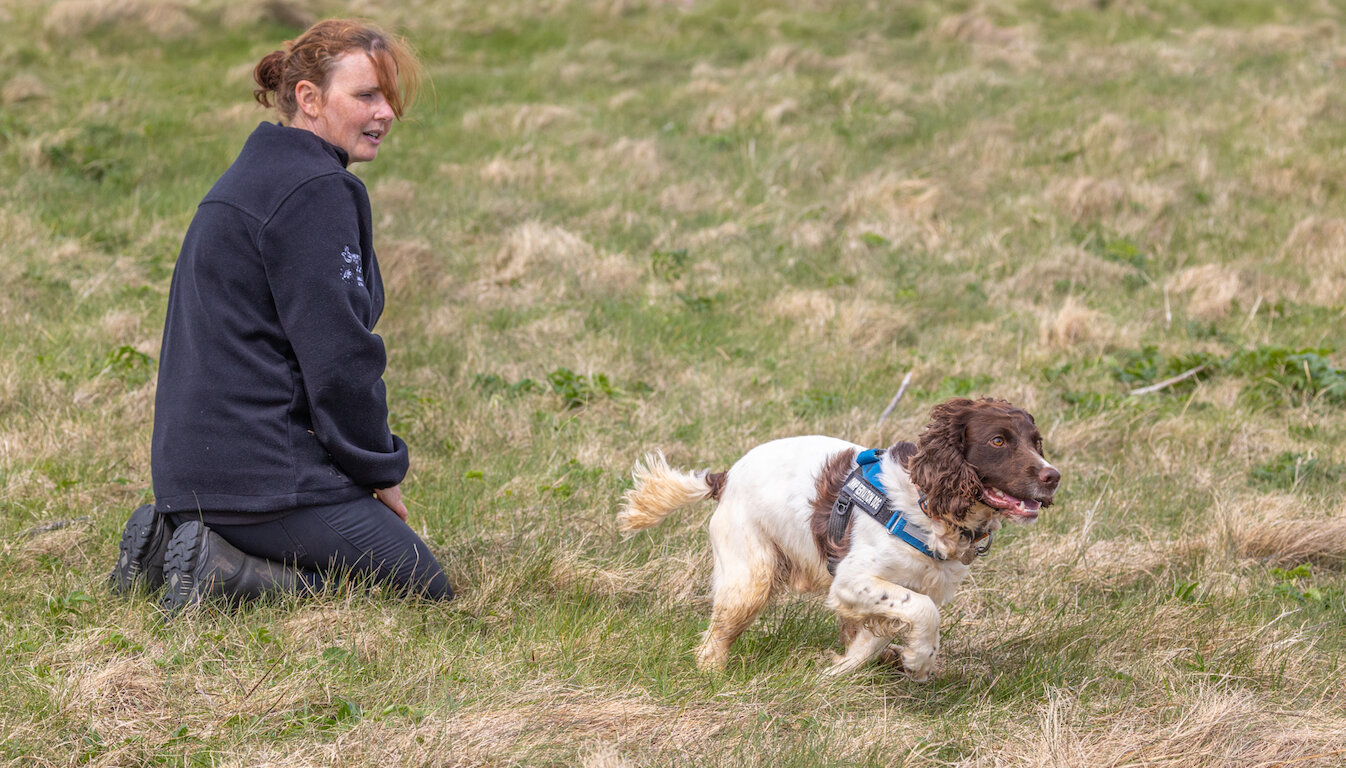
(741, 587)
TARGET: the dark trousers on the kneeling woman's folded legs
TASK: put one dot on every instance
(363, 539)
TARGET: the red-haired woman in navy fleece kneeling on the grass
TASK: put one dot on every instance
(273, 461)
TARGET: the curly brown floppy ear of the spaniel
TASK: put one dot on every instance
(940, 466)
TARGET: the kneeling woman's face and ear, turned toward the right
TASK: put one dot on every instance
(353, 114)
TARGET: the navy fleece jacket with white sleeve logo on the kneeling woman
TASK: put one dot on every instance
(271, 391)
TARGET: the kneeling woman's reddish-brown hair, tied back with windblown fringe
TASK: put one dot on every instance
(312, 56)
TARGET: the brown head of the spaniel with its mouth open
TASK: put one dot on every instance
(987, 453)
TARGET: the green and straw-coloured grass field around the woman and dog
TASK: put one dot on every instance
(620, 225)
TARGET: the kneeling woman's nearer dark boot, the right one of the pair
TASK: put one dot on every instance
(201, 566)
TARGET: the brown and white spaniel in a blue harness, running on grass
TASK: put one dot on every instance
(977, 465)
